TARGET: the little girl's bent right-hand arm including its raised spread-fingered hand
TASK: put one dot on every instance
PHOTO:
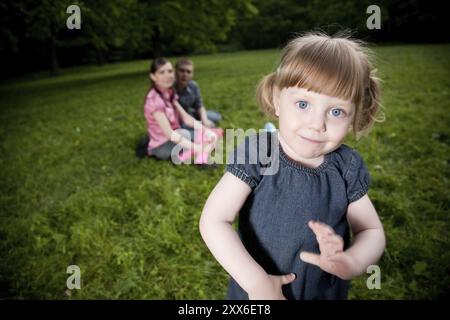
(367, 248)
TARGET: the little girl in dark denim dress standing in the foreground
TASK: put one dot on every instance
(293, 236)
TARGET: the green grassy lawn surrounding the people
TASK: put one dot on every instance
(73, 192)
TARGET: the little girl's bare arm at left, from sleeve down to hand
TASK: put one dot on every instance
(216, 228)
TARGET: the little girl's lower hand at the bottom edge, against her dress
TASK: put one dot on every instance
(271, 289)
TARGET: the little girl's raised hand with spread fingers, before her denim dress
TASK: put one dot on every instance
(332, 258)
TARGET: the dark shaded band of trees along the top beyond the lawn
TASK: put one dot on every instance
(34, 35)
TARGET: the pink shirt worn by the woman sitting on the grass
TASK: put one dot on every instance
(153, 103)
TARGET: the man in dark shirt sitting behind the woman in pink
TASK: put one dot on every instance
(189, 94)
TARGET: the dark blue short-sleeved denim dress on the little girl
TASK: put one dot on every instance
(273, 220)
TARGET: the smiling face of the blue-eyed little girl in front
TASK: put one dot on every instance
(311, 124)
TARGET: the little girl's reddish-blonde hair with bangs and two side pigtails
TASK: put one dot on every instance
(333, 65)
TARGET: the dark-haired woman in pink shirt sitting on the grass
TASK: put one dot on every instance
(164, 115)
